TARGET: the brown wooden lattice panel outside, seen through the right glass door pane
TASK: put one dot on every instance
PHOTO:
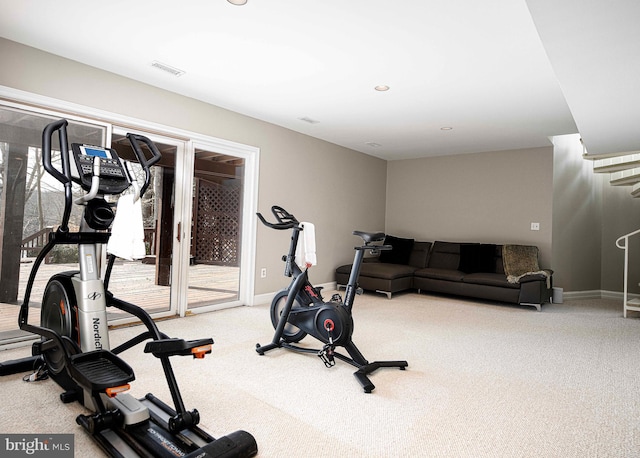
(217, 227)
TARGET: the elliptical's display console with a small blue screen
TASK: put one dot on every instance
(113, 177)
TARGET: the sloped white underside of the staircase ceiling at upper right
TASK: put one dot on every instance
(594, 48)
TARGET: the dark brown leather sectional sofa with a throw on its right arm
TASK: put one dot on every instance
(466, 269)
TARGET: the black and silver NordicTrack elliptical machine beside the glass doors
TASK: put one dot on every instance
(74, 348)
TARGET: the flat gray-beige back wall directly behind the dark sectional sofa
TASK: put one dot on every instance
(483, 197)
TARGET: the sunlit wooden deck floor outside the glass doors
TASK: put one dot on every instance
(131, 281)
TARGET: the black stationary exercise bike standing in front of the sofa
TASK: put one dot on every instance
(299, 310)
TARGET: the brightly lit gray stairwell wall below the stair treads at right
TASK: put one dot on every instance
(588, 216)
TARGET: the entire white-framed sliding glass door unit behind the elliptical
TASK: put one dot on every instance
(198, 214)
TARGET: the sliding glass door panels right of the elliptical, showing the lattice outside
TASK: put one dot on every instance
(193, 217)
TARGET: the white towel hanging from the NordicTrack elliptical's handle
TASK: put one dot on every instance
(127, 233)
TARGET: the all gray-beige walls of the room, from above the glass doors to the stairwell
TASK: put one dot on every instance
(486, 197)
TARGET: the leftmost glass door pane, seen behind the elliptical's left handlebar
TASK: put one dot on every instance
(31, 203)
